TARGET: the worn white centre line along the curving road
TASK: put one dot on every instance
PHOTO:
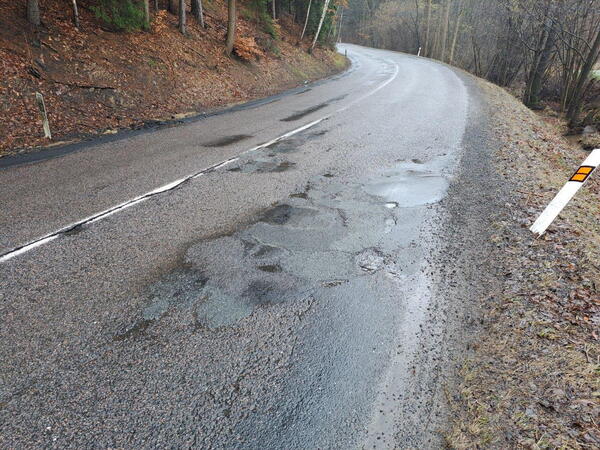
(174, 184)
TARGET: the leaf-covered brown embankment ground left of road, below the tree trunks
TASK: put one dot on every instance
(96, 81)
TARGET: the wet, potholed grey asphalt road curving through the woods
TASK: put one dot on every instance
(287, 299)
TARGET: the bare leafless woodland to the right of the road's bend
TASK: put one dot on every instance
(546, 50)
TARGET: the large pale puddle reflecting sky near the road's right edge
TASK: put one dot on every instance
(408, 185)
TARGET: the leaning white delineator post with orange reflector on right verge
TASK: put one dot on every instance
(566, 193)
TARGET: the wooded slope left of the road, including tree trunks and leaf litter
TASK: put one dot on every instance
(103, 65)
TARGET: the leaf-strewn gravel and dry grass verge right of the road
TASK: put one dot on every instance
(531, 379)
